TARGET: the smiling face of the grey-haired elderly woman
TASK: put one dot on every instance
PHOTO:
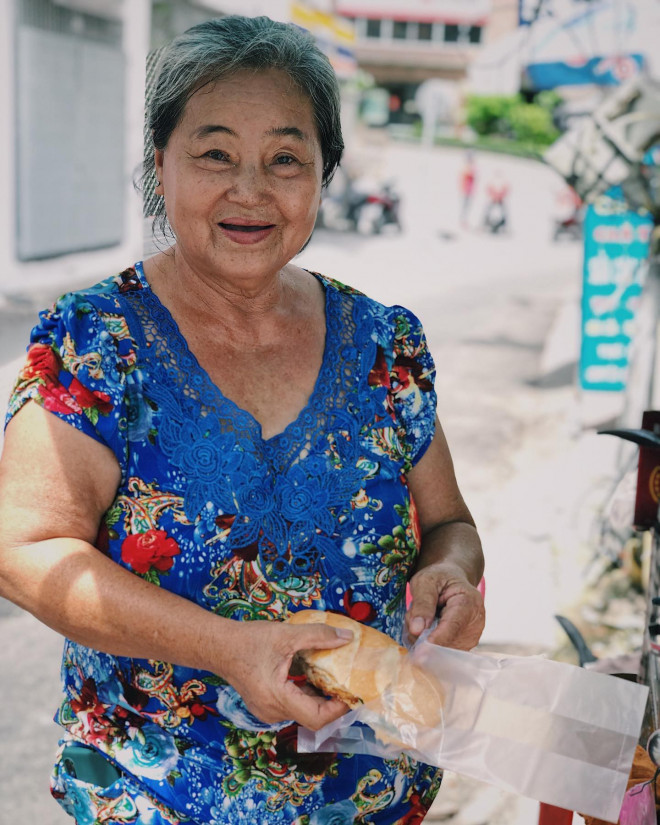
(241, 176)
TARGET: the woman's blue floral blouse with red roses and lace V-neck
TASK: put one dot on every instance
(319, 516)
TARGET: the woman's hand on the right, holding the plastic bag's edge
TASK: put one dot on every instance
(442, 589)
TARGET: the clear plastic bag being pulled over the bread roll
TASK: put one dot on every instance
(542, 729)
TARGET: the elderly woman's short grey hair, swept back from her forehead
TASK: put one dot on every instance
(221, 47)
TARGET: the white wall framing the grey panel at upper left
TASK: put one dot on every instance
(81, 268)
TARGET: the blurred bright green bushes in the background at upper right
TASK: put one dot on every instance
(510, 117)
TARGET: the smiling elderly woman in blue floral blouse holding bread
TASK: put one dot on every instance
(213, 440)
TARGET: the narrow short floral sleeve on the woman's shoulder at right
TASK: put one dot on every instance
(412, 379)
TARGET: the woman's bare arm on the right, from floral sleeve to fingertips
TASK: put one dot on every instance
(451, 562)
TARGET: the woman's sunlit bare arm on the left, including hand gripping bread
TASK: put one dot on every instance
(55, 485)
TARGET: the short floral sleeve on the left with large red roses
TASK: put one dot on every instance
(74, 370)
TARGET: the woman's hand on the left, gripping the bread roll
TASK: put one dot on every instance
(262, 653)
